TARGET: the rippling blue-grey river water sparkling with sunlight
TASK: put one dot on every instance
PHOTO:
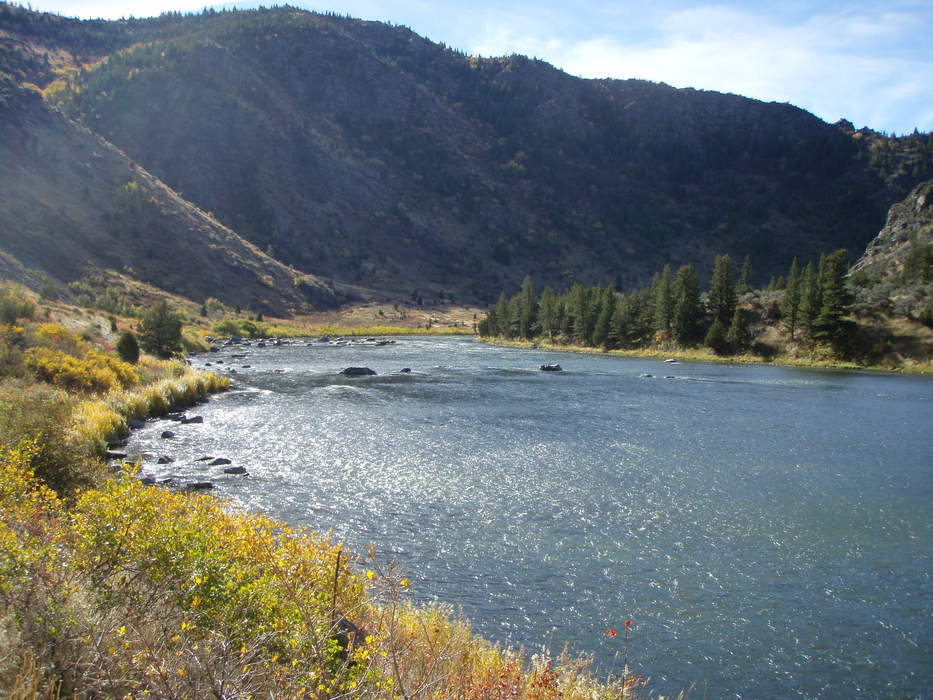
(767, 530)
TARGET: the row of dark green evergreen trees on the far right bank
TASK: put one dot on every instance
(674, 312)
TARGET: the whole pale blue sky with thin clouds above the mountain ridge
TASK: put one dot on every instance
(867, 61)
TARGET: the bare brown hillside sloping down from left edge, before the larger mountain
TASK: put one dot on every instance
(73, 205)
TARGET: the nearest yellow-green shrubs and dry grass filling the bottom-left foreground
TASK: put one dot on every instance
(137, 591)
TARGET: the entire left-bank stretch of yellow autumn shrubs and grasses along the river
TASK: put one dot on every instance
(117, 589)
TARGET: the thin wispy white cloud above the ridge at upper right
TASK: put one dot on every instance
(842, 64)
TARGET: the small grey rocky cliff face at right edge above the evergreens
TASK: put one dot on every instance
(909, 228)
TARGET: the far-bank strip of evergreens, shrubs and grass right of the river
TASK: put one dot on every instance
(817, 314)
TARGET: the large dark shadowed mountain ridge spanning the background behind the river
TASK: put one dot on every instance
(361, 152)
